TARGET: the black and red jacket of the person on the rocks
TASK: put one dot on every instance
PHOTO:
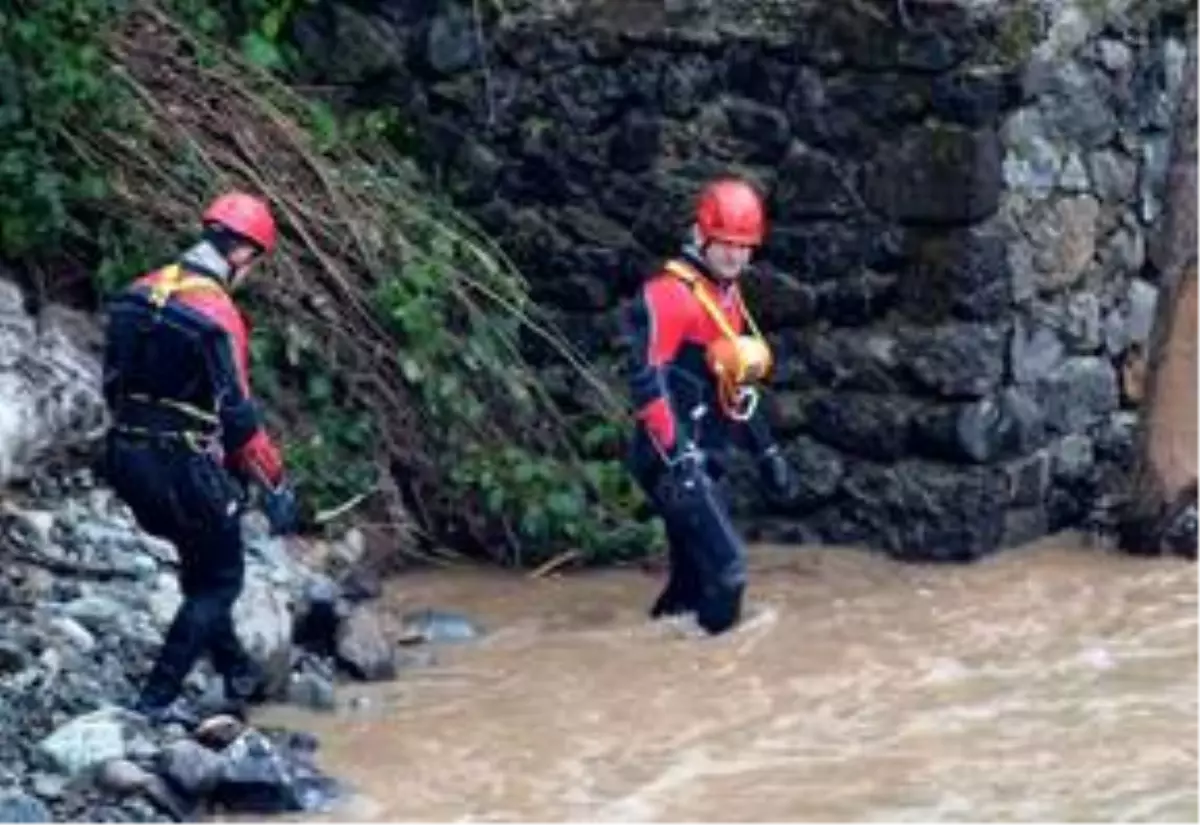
(182, 368)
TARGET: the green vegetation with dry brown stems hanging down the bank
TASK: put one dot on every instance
(388, 330)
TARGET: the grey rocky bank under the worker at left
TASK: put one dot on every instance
(86, 599)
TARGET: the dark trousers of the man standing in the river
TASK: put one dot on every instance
(706, 555)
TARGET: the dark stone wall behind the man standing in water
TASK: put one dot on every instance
(961, 195)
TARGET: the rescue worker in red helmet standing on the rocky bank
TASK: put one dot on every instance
(187, 431)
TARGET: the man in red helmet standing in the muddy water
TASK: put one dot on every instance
(698, 356)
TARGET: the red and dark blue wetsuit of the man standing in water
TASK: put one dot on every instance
(682, 432)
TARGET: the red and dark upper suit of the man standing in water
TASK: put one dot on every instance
(670, 332)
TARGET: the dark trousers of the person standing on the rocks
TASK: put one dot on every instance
(184, 496)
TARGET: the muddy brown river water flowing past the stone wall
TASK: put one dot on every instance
(1054, 684)
